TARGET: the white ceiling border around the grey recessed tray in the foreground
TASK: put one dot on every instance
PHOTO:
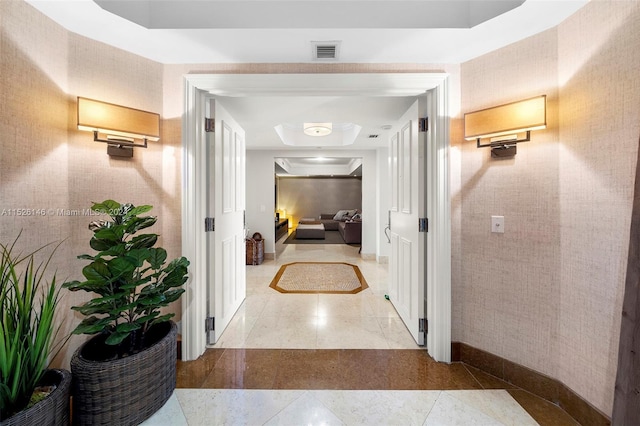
(393, 31)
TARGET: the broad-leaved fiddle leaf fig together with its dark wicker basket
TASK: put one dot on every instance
(127, 371)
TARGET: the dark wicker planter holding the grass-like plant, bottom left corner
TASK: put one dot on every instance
(53, 410)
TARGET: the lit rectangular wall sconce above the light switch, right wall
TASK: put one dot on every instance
(501, 124)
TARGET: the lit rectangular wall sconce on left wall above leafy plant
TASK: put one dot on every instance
(121, 126)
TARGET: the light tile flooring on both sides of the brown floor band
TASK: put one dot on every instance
(366, 320)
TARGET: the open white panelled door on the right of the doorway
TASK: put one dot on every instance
(407, 281)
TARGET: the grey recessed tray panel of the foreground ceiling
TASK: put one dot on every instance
(308, 13)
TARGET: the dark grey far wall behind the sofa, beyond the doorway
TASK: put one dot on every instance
(311, 196)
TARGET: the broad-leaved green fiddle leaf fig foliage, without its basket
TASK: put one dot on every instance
(131, 277)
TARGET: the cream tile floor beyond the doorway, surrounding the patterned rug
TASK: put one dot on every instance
(269, 319)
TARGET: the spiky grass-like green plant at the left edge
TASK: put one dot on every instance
(27, 331)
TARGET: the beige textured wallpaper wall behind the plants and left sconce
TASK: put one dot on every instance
(46, 164)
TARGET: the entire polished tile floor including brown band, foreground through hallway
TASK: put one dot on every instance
(293, 359)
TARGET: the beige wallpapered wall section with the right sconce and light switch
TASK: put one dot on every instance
(510, 281)
